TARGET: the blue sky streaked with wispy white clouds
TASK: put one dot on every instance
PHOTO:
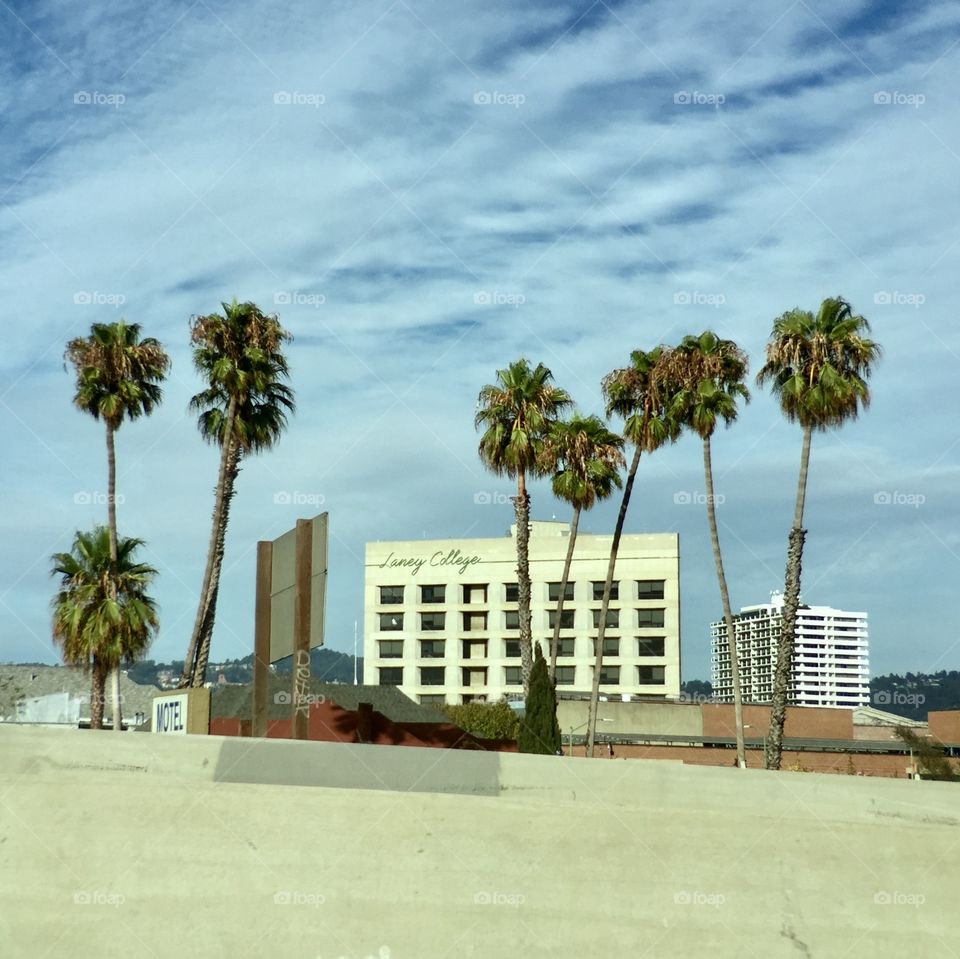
(424, 192)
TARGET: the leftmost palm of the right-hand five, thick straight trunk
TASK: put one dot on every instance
(516, 414)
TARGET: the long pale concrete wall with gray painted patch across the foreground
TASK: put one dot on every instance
(174, 846)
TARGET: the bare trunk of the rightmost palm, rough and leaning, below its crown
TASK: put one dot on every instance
(773, 752)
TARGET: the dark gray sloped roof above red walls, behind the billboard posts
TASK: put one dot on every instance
(236, 701)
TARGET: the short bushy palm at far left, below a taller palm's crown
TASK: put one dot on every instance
(102, 615)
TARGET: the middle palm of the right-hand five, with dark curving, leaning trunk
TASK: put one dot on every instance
(636, 393)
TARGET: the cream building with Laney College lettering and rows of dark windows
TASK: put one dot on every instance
(441, 618)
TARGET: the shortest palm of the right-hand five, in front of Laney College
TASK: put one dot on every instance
(586, 458)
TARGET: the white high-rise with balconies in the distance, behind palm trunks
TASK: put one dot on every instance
(831, 662)
